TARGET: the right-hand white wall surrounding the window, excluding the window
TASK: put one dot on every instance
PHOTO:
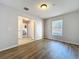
(70, 30)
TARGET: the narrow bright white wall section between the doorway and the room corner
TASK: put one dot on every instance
(38, 29)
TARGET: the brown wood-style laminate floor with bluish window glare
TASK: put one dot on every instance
(42, 49)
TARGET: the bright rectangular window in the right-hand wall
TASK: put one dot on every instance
(57, 27)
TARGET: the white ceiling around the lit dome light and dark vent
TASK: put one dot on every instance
(56, 7)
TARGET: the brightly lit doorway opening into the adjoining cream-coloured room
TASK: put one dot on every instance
(26, 30)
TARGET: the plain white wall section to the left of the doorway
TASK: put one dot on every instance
(8, 27)
